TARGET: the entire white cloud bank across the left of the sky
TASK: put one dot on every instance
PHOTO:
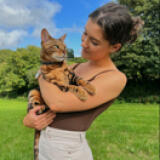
(20, 18)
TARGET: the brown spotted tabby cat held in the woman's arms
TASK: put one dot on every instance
(55, 70)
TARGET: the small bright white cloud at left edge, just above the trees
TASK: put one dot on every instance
(11, 38)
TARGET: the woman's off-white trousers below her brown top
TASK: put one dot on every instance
(57, 144)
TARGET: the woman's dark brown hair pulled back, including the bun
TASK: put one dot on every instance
(117, 23)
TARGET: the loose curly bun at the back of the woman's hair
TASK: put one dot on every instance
(136, 28)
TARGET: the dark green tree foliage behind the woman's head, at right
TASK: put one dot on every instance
(141, 60)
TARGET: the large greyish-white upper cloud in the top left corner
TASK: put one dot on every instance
(30, 13)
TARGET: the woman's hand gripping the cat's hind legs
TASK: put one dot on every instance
(32, 120)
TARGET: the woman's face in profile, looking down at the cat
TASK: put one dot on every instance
(94, 46)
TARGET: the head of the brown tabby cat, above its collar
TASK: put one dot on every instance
(53, 50)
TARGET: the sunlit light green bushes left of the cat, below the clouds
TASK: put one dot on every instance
(18, 69)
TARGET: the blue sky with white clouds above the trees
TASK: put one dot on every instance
(21, 21)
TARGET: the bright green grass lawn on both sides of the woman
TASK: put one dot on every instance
(123, 132)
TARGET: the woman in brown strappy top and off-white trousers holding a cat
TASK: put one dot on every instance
(107, 30)
